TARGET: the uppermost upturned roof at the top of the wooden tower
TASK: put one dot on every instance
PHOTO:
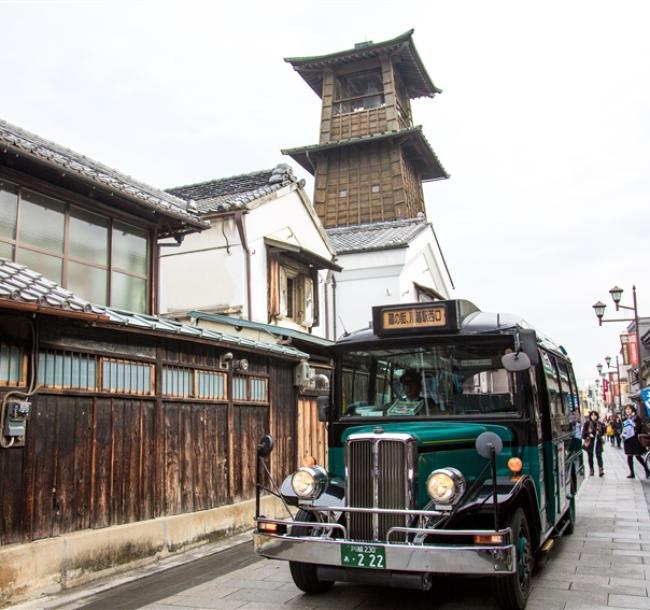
(405, 56)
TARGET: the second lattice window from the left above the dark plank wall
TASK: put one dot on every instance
(67, 370)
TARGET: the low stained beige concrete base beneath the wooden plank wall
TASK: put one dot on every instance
(54, 564)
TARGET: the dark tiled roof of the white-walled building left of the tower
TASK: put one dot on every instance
(234, 193)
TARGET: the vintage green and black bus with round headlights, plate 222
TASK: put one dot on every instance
(452, 450)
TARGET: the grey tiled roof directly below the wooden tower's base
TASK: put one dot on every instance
(375, 236)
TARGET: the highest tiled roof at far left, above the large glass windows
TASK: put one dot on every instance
(31, 145)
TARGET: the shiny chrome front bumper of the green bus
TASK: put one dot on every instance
(423, 558)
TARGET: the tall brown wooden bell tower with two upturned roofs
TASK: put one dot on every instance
(371, 160)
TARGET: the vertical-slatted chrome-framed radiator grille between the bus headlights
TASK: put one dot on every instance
(380, 474)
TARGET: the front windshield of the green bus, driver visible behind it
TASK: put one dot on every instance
(450, 379)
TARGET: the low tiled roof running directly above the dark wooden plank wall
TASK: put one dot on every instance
(20, 286)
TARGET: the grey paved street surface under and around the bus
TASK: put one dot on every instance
(604, 564)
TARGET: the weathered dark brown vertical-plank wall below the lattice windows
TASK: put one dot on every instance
(95, 460)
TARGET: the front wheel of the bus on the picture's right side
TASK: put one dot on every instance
(512, 591)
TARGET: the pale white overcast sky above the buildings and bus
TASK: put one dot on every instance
(543, 123)
